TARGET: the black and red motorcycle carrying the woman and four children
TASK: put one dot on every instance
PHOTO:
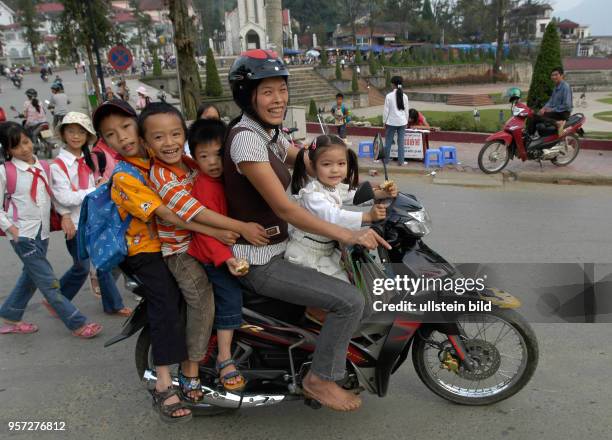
(474, 358)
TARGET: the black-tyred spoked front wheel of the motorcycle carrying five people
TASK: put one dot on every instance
(505, 350)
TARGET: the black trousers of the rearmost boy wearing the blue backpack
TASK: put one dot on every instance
(163, 306)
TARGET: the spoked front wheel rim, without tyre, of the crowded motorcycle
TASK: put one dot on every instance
(499, 349)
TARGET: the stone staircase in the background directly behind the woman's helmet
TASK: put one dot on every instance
(304, 84)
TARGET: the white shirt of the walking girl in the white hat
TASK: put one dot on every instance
(68, 199)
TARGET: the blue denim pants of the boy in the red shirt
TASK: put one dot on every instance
(228, 297)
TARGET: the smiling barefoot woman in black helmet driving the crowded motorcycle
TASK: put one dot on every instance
(256, 178)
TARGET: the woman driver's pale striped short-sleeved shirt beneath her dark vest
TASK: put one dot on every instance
(252, 146)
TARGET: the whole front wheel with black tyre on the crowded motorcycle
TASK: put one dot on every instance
(445, 383)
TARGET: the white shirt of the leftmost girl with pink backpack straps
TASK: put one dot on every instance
(31, 216)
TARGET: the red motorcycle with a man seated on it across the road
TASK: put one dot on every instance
(514, 141)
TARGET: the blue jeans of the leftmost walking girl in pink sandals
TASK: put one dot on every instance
(38, 273)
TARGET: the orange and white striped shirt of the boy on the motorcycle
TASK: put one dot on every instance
(174, 185)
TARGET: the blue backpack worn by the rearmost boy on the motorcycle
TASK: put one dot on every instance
(101, 232)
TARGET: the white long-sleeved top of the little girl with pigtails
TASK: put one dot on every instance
(327, 204)
